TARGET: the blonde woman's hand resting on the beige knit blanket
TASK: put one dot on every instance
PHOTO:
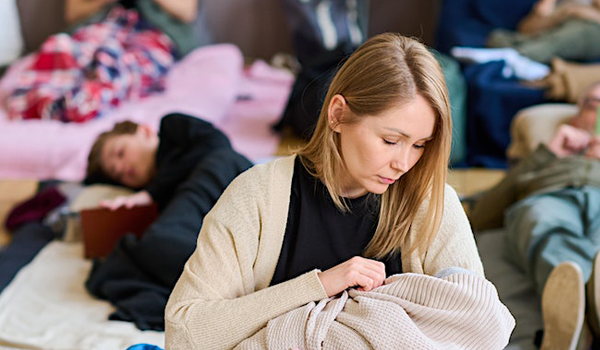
(365, 273)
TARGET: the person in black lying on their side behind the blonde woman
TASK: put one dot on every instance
(184, 169)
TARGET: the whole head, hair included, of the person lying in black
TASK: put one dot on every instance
(125, 155)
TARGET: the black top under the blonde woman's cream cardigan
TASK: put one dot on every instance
(318, 235)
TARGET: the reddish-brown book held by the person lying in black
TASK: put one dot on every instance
(102, 228)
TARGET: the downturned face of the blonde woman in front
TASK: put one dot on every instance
(379, 149)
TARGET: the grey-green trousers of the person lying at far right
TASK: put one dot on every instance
(545, 230)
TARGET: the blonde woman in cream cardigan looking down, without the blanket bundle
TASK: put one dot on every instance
(365, 199)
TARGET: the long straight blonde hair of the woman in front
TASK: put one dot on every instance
(389, 70)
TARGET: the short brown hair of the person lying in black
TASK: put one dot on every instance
(94, 172)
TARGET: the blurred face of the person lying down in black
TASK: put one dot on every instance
(131, 159)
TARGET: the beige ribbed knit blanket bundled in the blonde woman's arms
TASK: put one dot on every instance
(411, 311)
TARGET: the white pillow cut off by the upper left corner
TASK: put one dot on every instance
(11, 40)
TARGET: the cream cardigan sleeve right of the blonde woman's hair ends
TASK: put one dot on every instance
(454, 244)
